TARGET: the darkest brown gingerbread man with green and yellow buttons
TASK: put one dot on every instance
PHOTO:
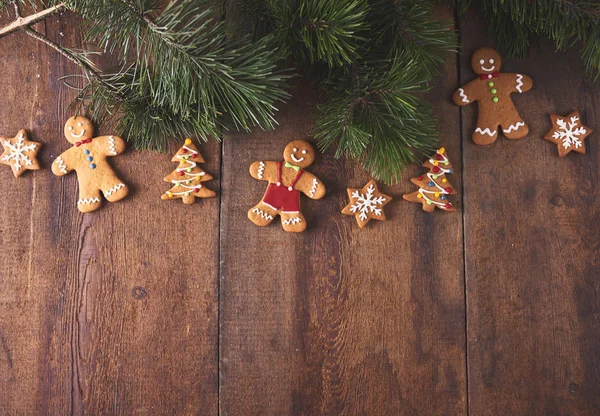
(492, 91)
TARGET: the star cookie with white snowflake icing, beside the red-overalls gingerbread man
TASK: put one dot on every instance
(366, 203)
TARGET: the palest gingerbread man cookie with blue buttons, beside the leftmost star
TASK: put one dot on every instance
(87, 157)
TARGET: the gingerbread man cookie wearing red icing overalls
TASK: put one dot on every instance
(286, 182)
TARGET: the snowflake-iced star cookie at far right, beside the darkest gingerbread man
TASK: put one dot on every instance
(568, 133)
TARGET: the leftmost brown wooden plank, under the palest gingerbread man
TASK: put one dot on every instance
(113, 312)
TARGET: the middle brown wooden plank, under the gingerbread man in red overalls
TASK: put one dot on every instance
(340, 320)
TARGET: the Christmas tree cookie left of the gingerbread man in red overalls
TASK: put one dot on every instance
(188, 177)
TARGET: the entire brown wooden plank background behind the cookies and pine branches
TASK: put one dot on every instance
(152, 307)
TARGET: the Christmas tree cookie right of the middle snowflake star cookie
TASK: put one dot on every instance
(433, 186)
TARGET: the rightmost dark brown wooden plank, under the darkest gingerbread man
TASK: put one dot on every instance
(531, 238)
